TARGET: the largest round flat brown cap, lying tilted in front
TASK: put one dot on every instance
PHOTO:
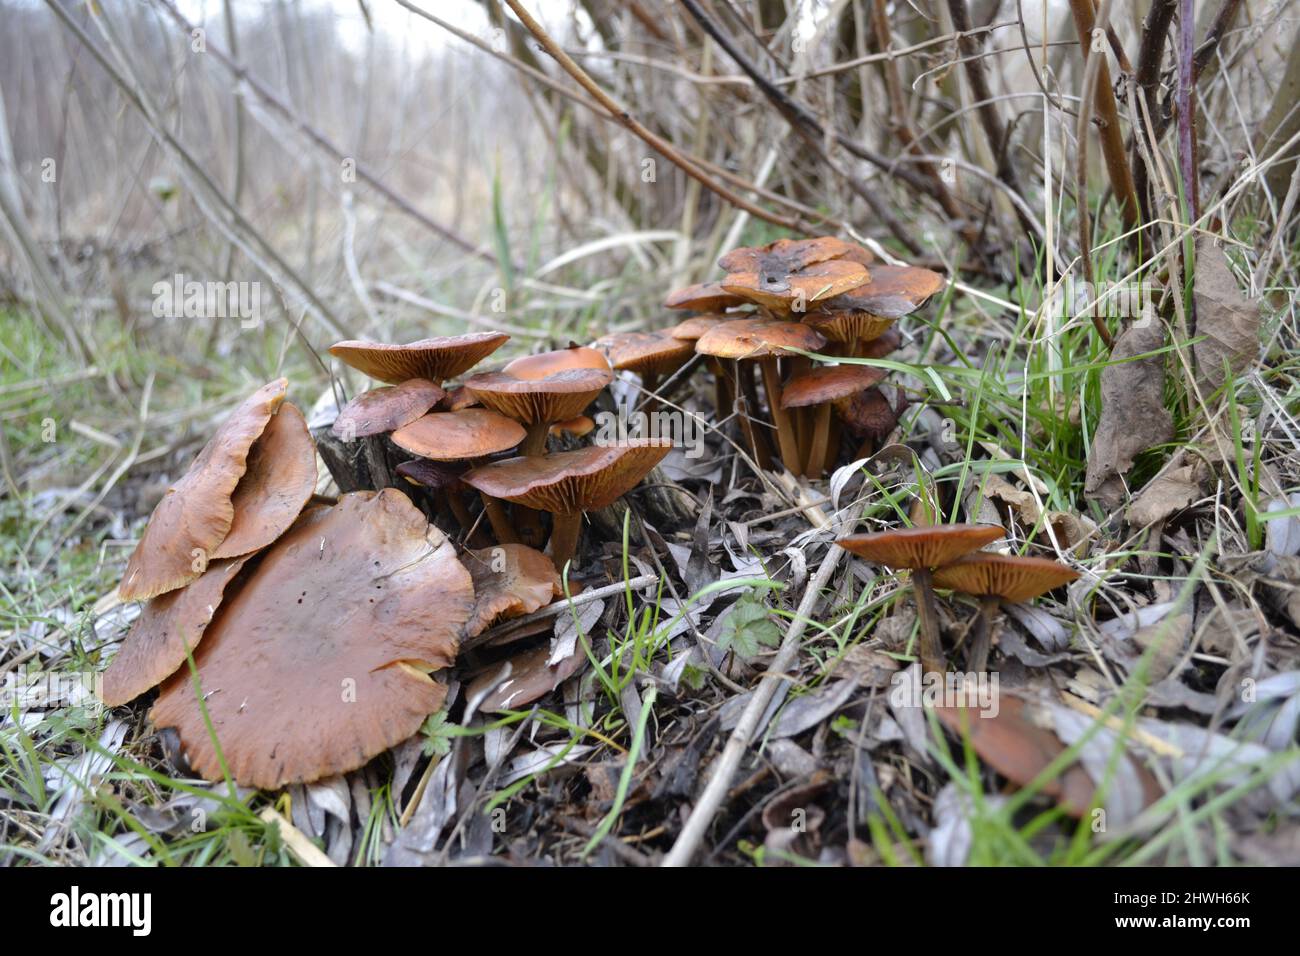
(318, 664)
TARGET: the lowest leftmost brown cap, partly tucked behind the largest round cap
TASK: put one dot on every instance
(155, 646)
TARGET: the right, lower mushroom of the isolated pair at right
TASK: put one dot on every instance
(998, 578)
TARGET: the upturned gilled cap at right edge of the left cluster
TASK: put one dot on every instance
(566, 483)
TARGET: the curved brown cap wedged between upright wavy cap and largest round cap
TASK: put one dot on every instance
(276, 486)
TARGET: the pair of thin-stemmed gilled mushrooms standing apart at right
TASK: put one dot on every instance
(948, 556)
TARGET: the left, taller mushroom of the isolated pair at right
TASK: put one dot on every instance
(920, 551)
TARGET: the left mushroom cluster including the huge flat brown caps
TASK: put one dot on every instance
(293, 637)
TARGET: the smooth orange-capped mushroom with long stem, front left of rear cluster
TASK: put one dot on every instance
(764, 340)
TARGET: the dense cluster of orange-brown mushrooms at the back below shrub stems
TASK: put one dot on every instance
(779, 302)
